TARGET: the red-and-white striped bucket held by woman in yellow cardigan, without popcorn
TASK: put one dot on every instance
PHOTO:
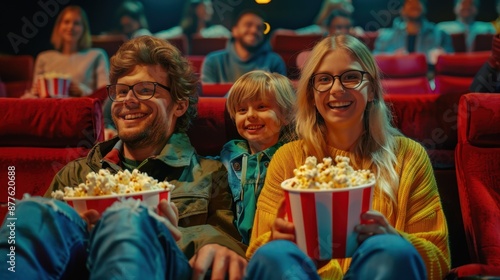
(325, 219)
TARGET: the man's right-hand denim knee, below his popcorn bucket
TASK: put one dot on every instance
(132, 227)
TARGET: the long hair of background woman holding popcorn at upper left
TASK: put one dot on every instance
(85, 40)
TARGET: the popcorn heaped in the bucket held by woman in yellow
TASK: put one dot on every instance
(326, 175)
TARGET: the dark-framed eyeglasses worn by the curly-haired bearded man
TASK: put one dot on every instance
(141, 91)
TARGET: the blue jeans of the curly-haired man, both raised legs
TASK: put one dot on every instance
(52, 242)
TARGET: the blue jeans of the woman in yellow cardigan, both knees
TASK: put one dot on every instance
(378, 257)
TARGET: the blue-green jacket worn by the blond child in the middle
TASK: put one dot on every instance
(246, 175)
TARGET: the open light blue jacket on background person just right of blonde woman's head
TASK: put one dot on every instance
(430, 37)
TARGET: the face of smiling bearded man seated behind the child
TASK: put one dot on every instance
(249, 31)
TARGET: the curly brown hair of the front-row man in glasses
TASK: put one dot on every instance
(148, 50)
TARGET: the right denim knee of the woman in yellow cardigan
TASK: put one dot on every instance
(386, 256)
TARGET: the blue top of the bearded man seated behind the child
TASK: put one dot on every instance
(225, 66)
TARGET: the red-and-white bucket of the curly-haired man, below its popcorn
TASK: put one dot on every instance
(100, 203)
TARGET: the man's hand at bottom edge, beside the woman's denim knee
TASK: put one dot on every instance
(223, 261)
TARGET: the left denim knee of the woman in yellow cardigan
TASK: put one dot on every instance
(281, 259)
